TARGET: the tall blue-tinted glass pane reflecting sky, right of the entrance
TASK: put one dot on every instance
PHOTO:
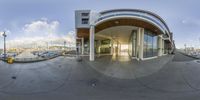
(150, 44)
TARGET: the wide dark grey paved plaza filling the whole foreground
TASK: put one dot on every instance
(64, 78)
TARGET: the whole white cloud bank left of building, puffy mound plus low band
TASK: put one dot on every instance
(41, 32)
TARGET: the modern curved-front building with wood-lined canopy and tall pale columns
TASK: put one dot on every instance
(143, 33)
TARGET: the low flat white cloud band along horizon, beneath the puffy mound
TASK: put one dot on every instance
(69, 38)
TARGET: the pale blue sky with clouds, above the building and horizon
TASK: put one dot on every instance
(29, 20)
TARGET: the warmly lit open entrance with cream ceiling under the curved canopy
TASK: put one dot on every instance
(121, 41)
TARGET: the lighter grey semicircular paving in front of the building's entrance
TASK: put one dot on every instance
(122, 67)
